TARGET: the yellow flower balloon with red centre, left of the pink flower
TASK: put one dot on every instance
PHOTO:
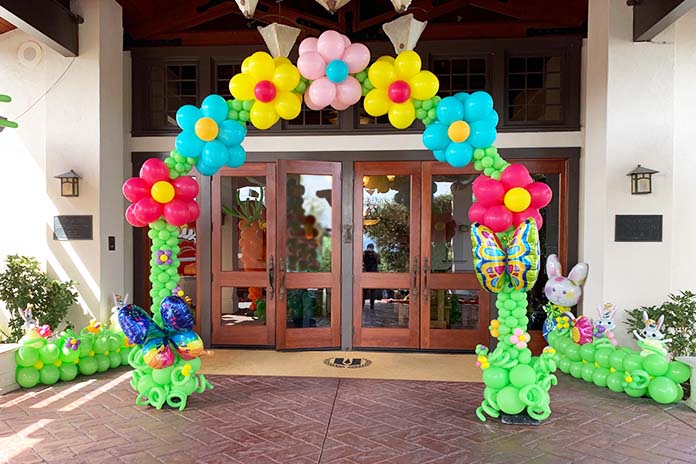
(270, 83)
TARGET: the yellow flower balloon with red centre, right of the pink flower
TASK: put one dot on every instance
(397, 82)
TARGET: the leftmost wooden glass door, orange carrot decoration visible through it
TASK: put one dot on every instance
(243, 216)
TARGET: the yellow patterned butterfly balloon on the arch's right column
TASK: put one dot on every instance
(519, 258)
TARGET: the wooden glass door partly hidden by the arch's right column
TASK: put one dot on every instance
(454, 311)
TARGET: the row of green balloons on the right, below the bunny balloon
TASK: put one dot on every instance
(621, 369)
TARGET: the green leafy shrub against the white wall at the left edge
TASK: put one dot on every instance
(23, 283)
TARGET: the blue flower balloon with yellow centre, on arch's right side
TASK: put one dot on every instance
(464, 122)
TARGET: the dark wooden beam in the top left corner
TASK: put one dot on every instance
(46, 20)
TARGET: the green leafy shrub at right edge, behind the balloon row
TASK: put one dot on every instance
(680, 322)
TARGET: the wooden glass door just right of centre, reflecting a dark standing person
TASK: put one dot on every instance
(386, 257)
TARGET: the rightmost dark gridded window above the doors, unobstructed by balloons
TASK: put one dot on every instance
(534, 89)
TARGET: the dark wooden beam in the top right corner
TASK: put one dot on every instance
(650, 17)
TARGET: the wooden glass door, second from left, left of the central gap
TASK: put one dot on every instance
(309, 258)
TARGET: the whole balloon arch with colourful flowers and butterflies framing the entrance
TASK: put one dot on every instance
(332, 71)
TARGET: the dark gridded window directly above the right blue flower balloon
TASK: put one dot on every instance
(460, 74)
